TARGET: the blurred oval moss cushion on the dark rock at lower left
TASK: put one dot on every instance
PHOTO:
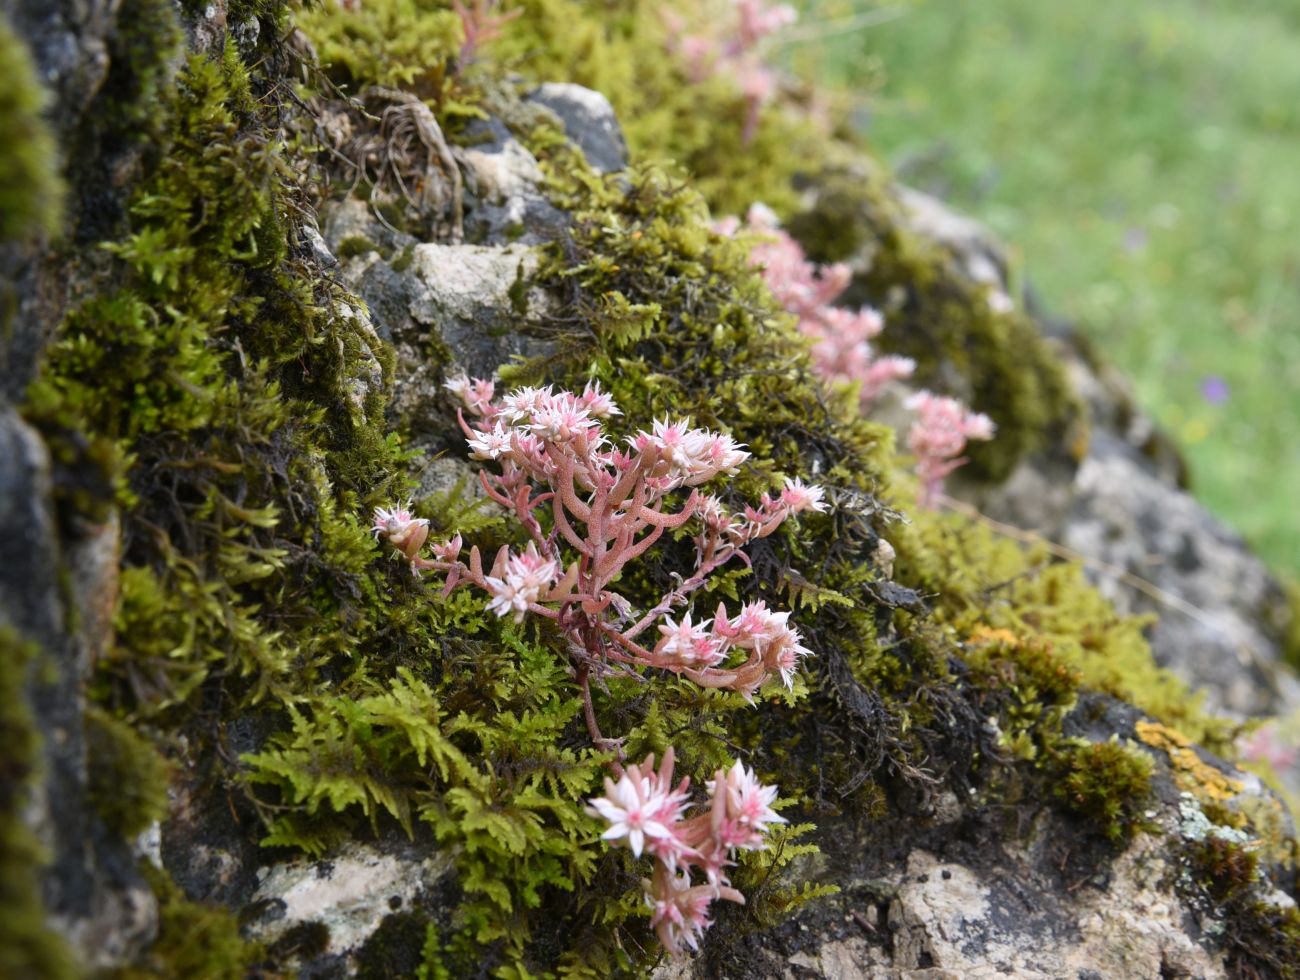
(128, 779)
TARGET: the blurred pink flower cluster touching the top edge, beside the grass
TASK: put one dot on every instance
(735, 55)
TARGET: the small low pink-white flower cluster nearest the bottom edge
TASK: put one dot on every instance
(647, 813)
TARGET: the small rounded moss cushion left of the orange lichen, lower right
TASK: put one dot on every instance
(1108, 783)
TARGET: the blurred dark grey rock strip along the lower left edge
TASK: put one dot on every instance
(93, 890)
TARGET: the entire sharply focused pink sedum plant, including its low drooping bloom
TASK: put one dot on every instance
(590, 509)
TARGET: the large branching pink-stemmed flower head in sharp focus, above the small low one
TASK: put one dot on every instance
(606, 505)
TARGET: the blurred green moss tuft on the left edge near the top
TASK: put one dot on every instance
(31, 190)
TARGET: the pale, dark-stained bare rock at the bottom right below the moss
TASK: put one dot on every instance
(957, 897)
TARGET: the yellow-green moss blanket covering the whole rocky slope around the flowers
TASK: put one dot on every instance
(278, 691)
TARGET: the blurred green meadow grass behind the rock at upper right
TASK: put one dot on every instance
(1143, 161)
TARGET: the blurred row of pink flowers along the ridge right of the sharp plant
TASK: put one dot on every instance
(843, 352)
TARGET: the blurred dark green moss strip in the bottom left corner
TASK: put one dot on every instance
(28, 947)
